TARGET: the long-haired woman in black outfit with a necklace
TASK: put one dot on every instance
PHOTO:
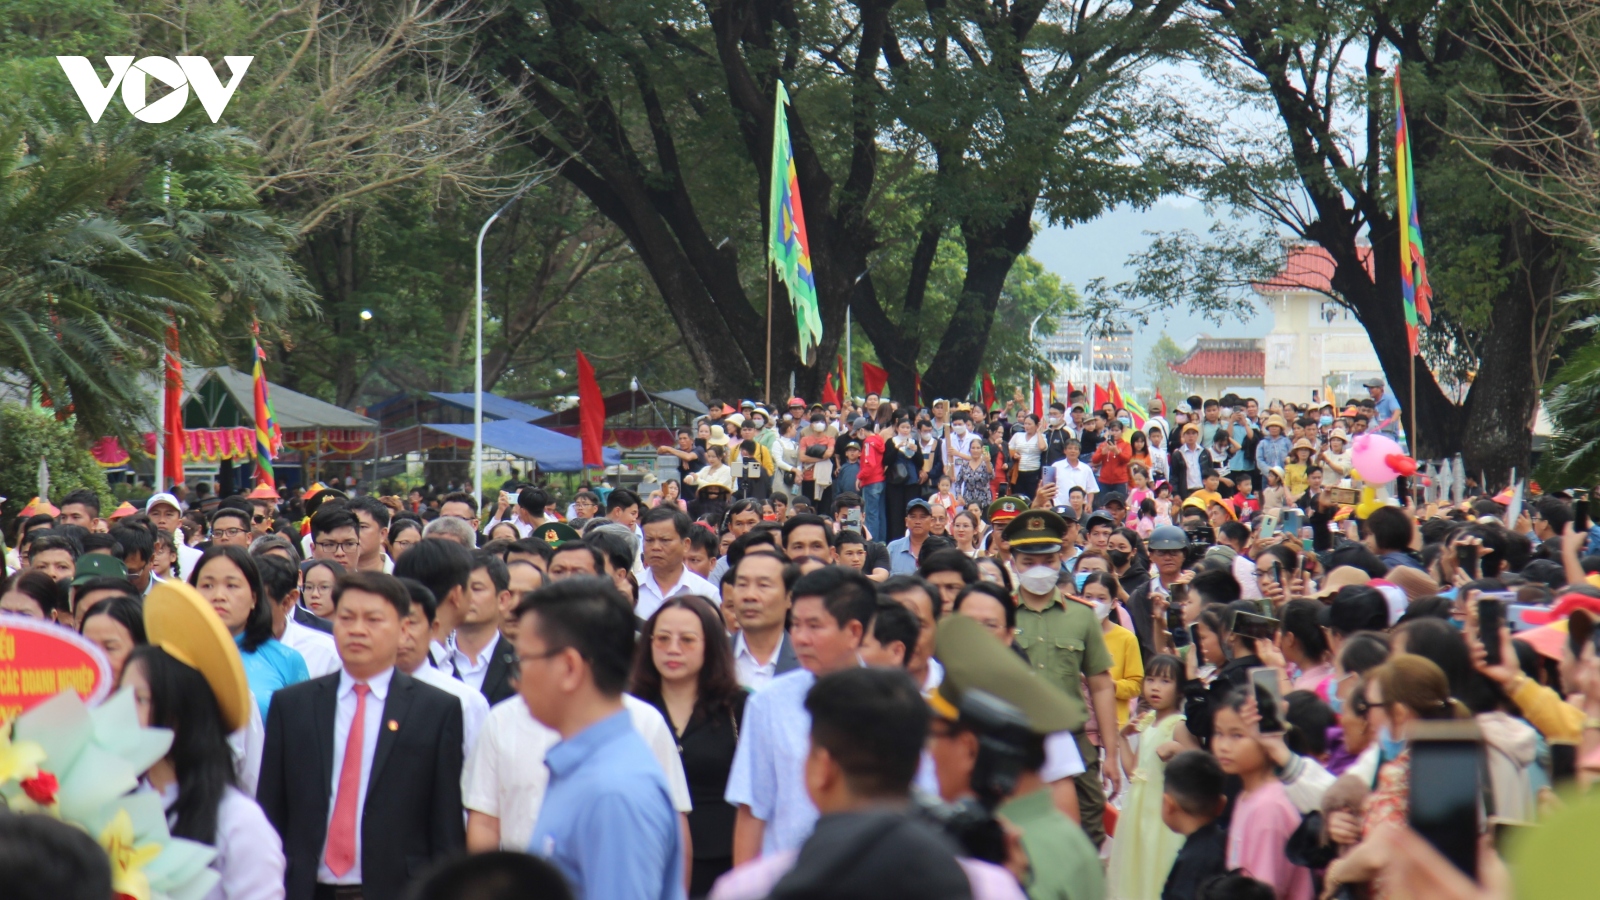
(684, 667)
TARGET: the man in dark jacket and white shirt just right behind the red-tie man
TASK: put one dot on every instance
(479, 656)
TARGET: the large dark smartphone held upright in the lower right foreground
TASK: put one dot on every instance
(1446, 798)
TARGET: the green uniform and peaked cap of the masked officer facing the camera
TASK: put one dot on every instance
(1065, 645)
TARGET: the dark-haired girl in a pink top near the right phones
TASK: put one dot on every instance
(1263, 816)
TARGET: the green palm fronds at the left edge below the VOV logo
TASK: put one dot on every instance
(110, 233)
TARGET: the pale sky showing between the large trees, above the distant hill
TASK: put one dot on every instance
(1102, 249)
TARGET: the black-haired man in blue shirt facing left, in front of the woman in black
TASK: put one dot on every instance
(607, 819)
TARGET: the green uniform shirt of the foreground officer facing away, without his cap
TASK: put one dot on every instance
(1065, 864)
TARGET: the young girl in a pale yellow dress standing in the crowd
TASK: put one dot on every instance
(1145, 848)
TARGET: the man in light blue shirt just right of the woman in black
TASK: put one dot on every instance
(831, 611)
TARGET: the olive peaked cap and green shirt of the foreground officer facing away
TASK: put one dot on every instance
(1063, 862)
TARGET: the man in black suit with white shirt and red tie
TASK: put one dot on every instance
(372, 745)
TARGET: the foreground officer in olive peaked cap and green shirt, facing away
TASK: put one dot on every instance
(1063, 862)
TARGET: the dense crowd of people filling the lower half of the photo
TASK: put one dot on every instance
(858, 653)
